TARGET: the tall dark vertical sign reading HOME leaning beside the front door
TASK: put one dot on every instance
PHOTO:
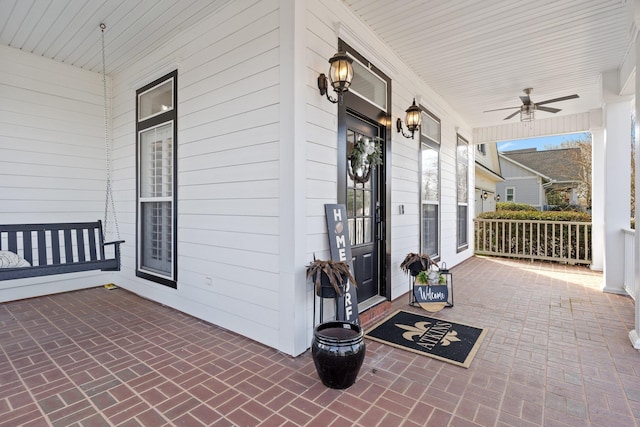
(346, 305)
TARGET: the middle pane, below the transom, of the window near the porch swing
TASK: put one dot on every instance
(156, 162)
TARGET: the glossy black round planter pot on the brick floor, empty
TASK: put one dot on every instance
(338, 350)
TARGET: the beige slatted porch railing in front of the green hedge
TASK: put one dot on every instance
(560, 241)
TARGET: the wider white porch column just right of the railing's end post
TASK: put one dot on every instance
(617, 183)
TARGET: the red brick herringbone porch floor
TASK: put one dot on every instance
(556, 354)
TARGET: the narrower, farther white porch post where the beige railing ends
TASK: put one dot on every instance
(597, 192)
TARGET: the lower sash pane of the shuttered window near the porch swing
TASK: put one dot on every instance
(156, 228)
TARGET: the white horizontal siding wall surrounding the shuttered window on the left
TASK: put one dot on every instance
(228, 168)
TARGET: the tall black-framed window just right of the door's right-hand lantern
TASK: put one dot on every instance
(430, 185)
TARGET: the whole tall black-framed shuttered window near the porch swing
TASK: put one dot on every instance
(156, 181)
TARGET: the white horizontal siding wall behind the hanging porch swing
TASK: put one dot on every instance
(52, 155)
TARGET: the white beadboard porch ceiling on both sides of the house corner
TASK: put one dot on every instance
(477, 54)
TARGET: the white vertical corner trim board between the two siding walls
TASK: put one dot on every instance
(294, 315)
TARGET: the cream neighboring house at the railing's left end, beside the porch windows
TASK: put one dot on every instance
(488, 175)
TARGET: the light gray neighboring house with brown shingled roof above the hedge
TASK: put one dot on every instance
(531, 175)
